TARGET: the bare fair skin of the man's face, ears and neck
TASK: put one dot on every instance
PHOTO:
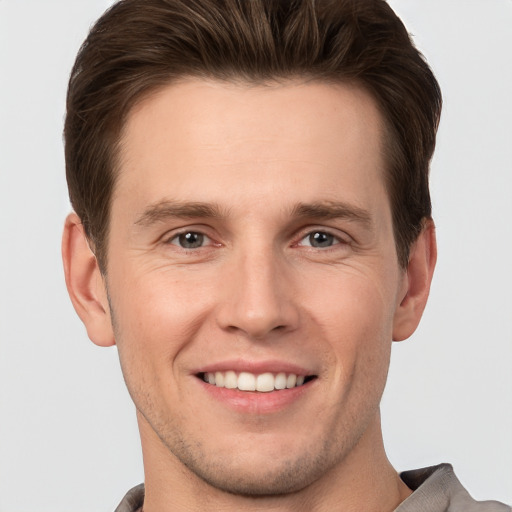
(255, 170)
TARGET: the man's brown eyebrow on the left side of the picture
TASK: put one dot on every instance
(164, 210)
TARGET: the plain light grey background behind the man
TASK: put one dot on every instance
(68, 439)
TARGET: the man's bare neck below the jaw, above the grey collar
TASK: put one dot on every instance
(363, 480)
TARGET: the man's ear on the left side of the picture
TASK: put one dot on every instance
(85, 283)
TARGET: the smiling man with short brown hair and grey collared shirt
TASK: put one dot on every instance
(253, 228)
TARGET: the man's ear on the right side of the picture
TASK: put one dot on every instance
(416, 284)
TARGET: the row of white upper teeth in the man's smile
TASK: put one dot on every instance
(246, 381)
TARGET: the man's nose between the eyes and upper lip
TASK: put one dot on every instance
(258, 298)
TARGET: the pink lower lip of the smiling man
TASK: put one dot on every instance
(254, 402)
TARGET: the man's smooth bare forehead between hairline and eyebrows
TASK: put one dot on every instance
(201, 140)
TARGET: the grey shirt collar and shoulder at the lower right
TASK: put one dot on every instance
(437, 489)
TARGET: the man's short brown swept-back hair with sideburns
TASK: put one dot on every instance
(138, 46)
